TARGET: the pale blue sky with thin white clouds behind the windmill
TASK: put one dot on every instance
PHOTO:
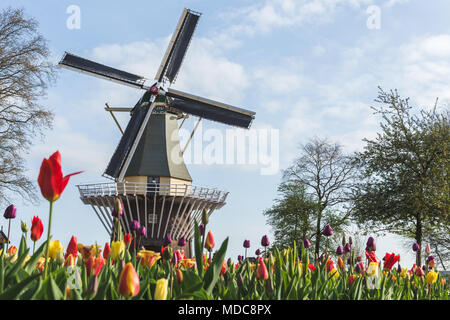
(307, 68)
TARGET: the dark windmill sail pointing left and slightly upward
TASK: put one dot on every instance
(95, 69)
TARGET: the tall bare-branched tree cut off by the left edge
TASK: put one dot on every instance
(25, 73)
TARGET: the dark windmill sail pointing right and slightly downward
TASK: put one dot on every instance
(210, 109)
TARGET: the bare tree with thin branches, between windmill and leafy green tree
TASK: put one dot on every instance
(327, 173)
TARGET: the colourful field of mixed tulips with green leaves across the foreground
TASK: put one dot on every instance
(119, 271)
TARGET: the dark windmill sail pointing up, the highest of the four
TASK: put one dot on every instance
(178, 45)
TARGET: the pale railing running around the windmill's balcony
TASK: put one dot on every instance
(150, 189)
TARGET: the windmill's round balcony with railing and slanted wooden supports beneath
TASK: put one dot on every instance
(162, 208)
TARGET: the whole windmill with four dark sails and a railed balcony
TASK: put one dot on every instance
(147, 167)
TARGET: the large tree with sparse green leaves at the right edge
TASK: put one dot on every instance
(404, 186)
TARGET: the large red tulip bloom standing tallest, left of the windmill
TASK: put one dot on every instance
(51, 180)
